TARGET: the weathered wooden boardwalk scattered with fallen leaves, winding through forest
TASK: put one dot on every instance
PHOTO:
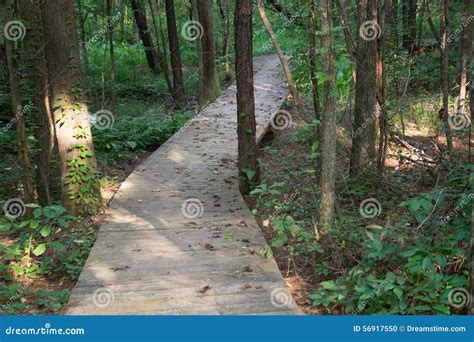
(179, 239)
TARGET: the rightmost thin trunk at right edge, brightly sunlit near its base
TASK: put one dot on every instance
(464, 51)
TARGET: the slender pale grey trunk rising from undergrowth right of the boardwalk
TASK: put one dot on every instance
(328, 165)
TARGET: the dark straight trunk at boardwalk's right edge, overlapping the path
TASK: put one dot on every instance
(246, 126)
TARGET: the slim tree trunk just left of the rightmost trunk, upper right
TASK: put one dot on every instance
(444, 71)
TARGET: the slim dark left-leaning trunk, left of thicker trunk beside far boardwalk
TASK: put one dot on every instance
(176, 68)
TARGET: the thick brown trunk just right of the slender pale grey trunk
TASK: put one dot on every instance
(366, 108)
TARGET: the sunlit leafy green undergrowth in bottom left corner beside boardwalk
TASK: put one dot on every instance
(50, 243)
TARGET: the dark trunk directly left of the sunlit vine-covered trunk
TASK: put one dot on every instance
(38, 76)
